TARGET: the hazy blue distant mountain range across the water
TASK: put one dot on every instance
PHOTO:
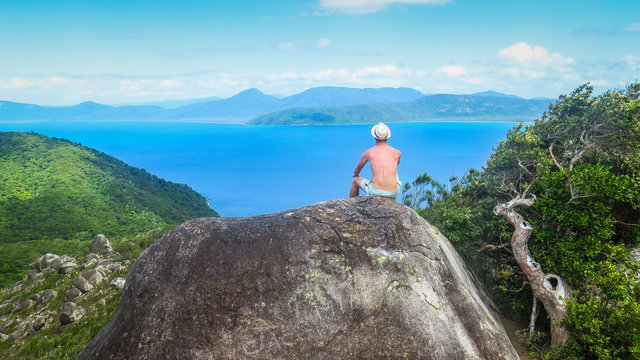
(320, 105)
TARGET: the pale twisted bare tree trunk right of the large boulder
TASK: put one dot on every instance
(549, 289)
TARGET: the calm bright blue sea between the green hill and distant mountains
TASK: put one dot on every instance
(247, 170)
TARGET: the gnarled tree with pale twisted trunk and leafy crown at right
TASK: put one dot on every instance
(576, 126)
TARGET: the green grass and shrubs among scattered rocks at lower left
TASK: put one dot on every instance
(50, 342)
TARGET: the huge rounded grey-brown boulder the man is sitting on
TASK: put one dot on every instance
(363, 278)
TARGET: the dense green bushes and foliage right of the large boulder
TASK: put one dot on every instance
(580, 163)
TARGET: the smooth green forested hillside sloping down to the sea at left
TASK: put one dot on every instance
(56, 195)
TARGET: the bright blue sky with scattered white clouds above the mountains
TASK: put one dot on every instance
(116, 52)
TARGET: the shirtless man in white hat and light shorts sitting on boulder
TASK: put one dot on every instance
(384, 161)
